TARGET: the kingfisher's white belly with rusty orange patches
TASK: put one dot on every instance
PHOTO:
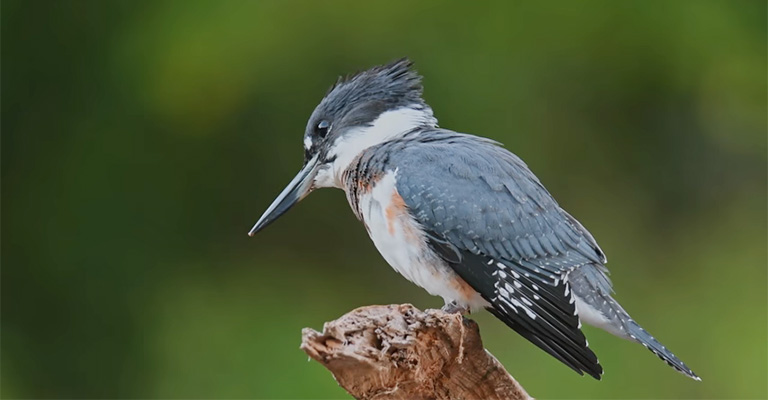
(401, 242)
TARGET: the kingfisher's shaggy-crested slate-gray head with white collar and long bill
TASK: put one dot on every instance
(358, 112)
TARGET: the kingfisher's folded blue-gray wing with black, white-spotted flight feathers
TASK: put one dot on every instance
(494, 223)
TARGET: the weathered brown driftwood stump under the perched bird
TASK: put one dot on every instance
(400, 352)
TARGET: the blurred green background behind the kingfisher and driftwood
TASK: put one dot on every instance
(142, 139)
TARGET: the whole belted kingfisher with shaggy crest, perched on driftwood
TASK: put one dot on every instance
(460, 216)
